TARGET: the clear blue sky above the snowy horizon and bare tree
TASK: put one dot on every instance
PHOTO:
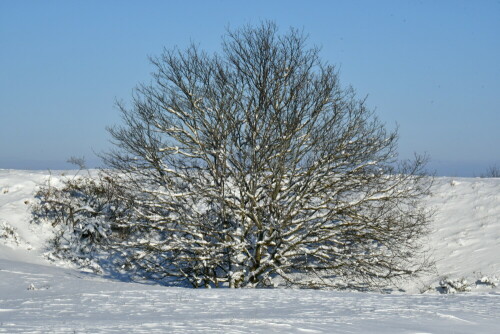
(432, 67)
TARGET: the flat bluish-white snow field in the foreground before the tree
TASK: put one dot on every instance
(39, 299)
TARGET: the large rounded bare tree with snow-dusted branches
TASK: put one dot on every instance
(254, 167)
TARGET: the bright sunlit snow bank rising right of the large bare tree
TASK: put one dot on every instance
(466, 228)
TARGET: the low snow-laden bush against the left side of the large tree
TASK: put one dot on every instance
(87, 216)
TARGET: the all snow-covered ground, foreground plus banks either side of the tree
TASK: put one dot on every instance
(36, 296)
